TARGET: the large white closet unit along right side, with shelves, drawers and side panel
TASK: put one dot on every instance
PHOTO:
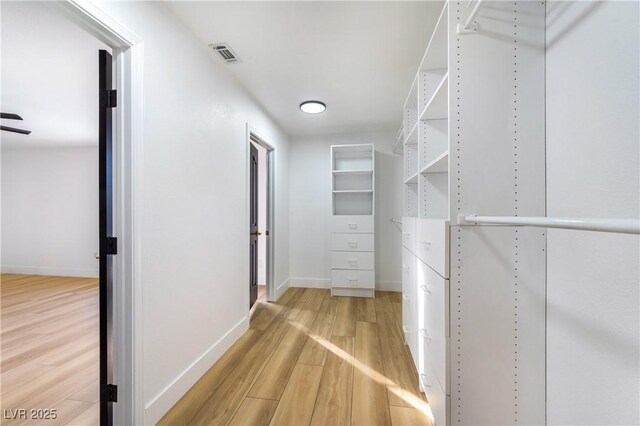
(473, 127)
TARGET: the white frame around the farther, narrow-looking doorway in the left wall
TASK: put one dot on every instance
(252, 135)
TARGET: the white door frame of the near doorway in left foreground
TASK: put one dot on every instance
(127, 53)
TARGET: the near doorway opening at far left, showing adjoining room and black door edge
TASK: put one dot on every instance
(57, 211)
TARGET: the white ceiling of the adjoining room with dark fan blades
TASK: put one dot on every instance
(49, 76)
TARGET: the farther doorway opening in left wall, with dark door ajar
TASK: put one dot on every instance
(261, 235)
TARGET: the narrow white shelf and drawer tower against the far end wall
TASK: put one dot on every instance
(353, 192)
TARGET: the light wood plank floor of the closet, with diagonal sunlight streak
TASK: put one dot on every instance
(312, 359)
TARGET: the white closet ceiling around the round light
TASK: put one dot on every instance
(358, 57)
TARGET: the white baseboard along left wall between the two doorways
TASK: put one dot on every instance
(161, 403)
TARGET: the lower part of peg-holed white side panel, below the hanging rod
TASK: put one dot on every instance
(498, 365)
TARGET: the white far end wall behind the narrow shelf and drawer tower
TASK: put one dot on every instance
(310, 200)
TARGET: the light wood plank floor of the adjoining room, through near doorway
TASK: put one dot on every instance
(49, 336)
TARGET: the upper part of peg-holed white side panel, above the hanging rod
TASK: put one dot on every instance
(497, 108)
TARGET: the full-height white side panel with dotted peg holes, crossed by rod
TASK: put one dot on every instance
(496, 164)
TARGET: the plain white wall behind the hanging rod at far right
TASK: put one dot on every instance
(592, 171)
